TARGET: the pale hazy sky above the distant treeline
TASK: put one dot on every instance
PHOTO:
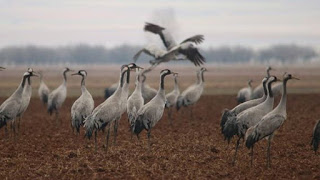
(110, 23)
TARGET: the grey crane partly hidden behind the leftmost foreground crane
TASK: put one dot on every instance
(26, 96)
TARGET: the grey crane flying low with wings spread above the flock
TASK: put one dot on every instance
(186, 49)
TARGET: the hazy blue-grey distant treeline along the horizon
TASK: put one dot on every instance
(86, 54)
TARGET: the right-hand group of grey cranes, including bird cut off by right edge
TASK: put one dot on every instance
(256, 119)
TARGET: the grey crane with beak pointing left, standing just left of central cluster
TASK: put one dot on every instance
(83, 106)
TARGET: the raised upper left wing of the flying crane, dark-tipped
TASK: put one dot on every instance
(165, 36)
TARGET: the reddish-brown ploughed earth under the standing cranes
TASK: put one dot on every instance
(192, 148)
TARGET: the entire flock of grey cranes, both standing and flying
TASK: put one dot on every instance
(252, 120)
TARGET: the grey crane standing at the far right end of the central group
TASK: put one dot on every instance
(193, 93)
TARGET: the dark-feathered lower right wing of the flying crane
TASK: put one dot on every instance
(193, 55)
